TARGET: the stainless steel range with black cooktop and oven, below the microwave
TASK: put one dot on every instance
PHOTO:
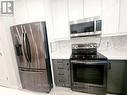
(88, 69)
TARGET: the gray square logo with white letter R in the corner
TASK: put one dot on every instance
(7, 7)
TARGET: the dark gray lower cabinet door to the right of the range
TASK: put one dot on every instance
(116, 77)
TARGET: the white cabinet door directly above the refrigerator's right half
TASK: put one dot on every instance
(36, 10)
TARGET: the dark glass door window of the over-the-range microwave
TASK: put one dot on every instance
(82, 27)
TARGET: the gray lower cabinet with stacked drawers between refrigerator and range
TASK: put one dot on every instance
(61, 68)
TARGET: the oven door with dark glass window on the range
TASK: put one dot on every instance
(89, 73)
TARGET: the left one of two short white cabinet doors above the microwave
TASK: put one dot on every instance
(75, 9)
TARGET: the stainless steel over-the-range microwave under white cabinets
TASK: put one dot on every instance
(87, 27)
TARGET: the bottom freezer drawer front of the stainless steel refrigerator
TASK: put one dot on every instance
(35, 81)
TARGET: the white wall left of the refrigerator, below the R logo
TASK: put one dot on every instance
(8, 63)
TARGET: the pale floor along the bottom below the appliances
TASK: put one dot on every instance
(55, 91)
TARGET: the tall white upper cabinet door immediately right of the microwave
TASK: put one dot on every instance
(110, 16)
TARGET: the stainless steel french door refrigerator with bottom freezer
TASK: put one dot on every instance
(32, 54)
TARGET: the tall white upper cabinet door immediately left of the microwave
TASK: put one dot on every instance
(60, 19)
